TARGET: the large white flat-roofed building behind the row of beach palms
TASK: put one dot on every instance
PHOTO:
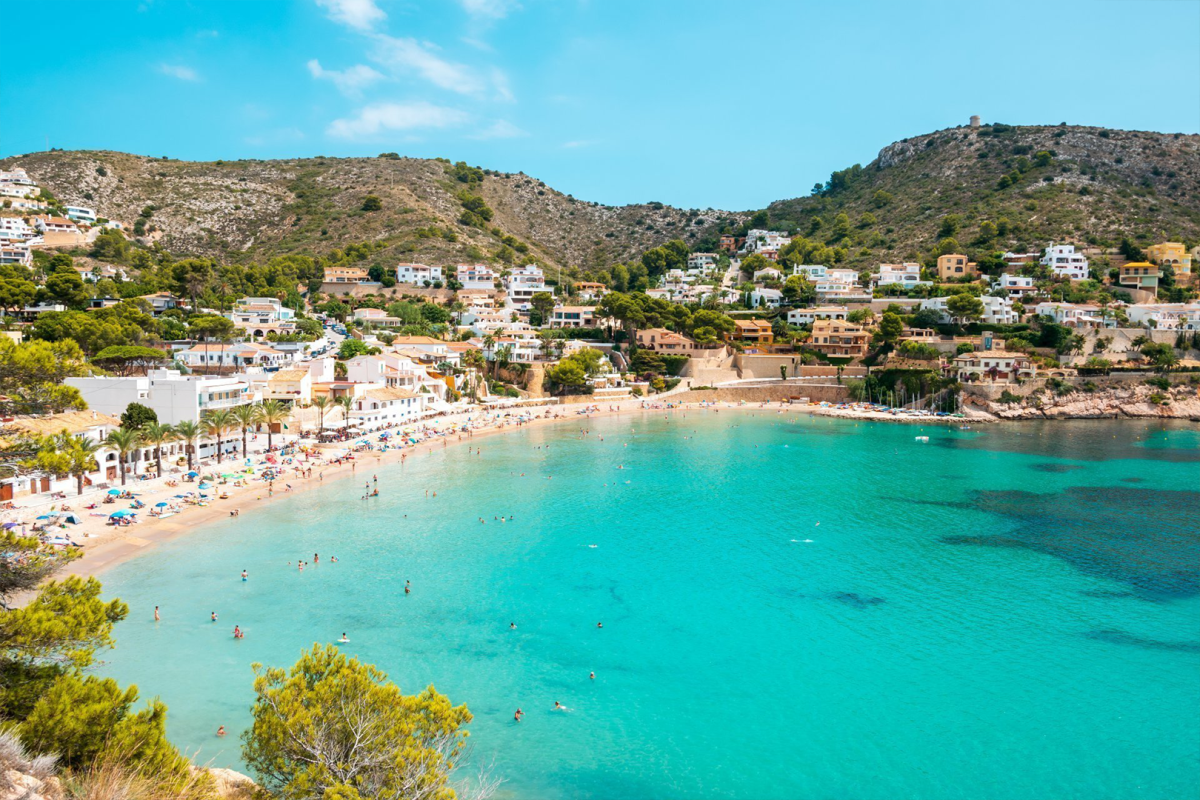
(175, 398)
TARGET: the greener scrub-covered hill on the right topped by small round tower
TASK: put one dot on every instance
(1096, 187)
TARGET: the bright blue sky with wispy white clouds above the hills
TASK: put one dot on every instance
(701, 104)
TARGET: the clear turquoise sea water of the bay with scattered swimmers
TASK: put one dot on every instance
(1007, 613)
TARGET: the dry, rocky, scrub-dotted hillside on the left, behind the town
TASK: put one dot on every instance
(254, 210)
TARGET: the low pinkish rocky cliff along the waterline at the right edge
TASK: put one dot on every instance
(1141, 401)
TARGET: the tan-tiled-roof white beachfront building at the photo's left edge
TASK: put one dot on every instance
(91, 425)
